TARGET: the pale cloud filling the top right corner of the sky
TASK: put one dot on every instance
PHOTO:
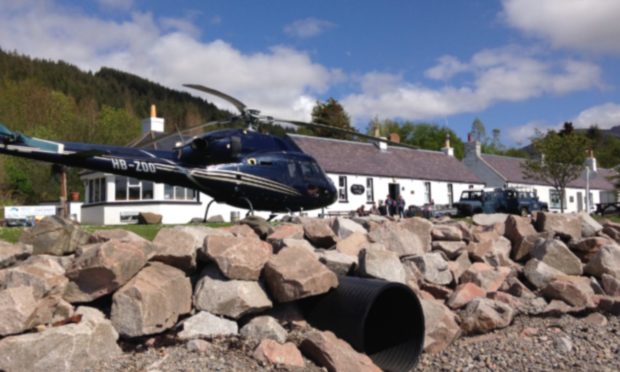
(587, 25)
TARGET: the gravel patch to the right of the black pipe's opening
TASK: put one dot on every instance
(535, 344)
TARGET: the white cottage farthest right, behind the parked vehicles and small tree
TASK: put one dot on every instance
(500, 171)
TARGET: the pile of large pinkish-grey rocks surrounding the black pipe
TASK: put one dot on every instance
(66, 296)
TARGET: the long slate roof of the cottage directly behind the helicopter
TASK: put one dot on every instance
(350, 157)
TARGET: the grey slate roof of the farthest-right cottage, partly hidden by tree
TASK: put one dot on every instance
(510, 169)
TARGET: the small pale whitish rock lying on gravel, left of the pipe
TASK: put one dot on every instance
(207, 325)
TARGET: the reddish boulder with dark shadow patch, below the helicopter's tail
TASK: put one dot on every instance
(102, 268)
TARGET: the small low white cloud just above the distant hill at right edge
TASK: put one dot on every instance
(605, 116)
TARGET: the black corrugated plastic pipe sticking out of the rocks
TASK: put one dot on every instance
(379, 318)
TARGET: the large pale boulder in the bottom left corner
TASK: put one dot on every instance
(71, 347)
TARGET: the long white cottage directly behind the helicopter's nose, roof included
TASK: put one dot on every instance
(365, 172)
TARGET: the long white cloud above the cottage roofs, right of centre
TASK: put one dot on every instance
(491, 76)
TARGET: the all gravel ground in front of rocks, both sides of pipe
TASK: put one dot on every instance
(529, 344)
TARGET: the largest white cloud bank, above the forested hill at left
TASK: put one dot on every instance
(277, 81)
